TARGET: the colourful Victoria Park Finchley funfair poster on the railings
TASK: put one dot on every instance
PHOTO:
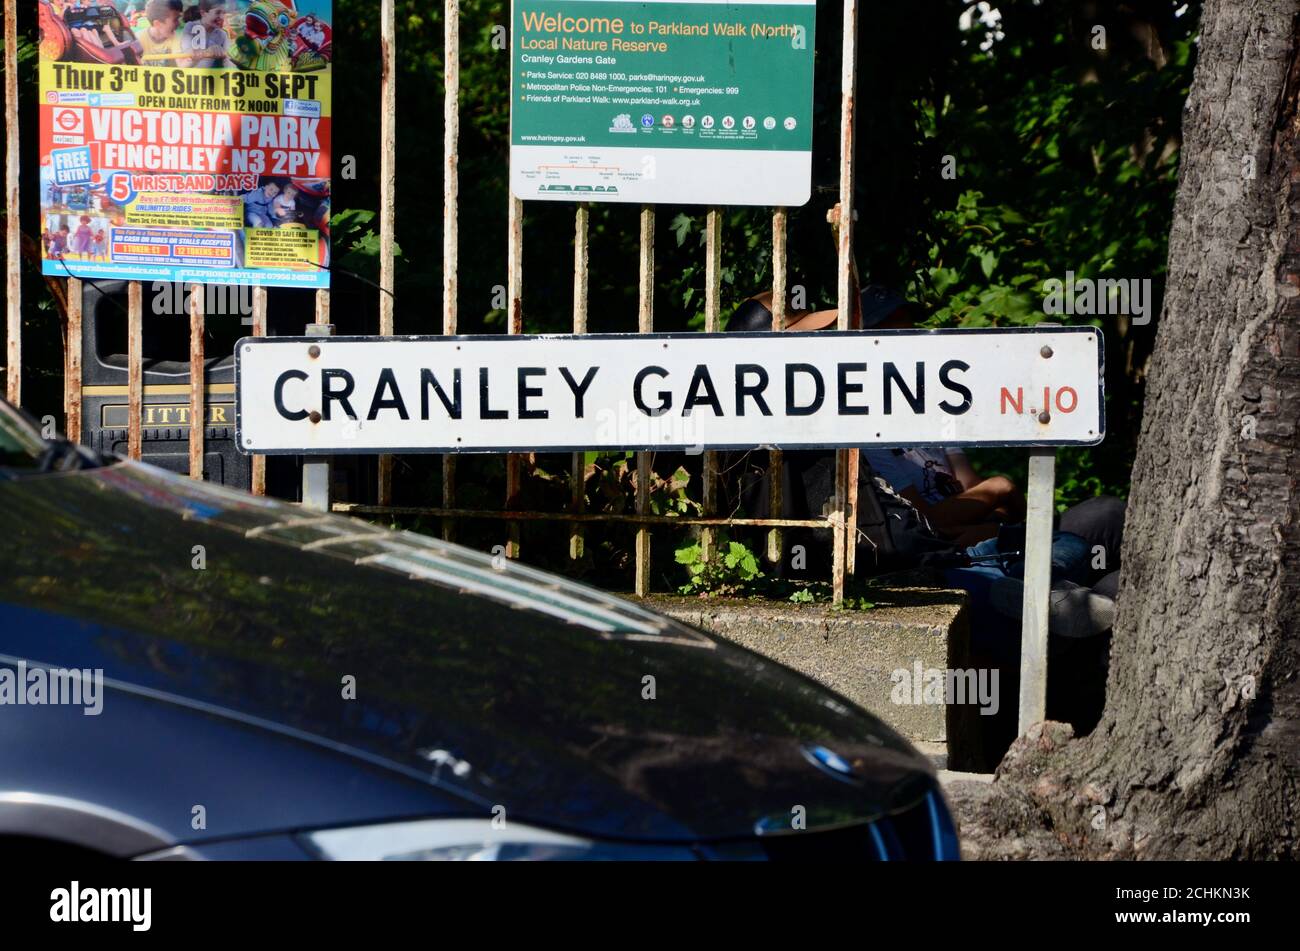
(187, 141)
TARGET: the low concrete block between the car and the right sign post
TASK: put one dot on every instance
(873, 657)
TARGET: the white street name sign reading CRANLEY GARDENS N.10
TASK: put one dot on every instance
(670, 392)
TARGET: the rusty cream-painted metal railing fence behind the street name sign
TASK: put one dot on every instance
(842, 522)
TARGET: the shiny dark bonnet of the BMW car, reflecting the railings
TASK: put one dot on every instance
(482, 676)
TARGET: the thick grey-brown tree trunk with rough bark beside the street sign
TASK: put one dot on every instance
(1198, 754)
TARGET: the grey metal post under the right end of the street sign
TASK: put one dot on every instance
(1038, 588)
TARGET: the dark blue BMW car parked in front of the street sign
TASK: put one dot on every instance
(194, 672)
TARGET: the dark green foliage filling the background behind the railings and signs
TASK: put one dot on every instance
(1065, 159)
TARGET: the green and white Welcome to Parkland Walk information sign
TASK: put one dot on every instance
(684, 102)
